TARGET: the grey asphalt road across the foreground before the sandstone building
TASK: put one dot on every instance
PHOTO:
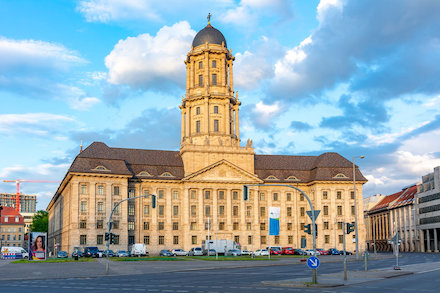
(244, 279)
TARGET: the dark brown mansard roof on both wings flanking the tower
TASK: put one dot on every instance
(131, 162)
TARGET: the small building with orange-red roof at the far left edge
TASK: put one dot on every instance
(12, 228)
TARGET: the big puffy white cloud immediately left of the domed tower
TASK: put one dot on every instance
(149, 61)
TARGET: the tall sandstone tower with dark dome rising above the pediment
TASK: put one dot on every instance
(210, 120)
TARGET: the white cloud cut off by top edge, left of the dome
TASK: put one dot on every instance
(109, 10)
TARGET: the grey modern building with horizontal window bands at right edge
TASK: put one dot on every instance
(428, 207)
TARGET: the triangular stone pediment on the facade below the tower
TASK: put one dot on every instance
(223, 171)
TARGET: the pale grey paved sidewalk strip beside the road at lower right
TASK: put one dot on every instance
(355, 277)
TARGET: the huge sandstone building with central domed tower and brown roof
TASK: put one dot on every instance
(199, 188)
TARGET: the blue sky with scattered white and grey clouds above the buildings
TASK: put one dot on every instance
(354, 77)
